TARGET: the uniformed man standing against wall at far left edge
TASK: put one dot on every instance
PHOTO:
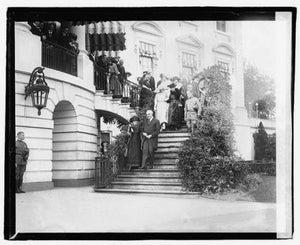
(22, 153)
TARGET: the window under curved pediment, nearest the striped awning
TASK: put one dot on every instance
(147, 56)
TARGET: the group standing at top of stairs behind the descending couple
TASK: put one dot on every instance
(173, 101)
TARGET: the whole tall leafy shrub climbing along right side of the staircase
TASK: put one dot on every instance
(206, 161)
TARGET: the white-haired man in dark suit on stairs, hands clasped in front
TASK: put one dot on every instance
(150, 133)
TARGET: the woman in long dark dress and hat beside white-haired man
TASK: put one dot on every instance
(134, 156)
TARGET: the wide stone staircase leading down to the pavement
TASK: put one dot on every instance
(163, 178)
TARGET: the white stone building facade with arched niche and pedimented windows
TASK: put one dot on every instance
(65, 138)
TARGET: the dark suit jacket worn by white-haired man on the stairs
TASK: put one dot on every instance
(152, 129)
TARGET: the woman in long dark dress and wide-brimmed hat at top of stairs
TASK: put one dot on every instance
(174, 120)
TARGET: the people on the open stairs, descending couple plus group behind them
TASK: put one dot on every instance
(172, 102)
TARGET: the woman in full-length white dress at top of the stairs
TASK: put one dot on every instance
(161, 106)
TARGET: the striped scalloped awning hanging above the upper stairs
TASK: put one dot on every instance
(106, 36)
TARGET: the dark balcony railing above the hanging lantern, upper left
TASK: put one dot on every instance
(59, 58)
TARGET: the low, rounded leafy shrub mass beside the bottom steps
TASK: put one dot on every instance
(205, 174)
